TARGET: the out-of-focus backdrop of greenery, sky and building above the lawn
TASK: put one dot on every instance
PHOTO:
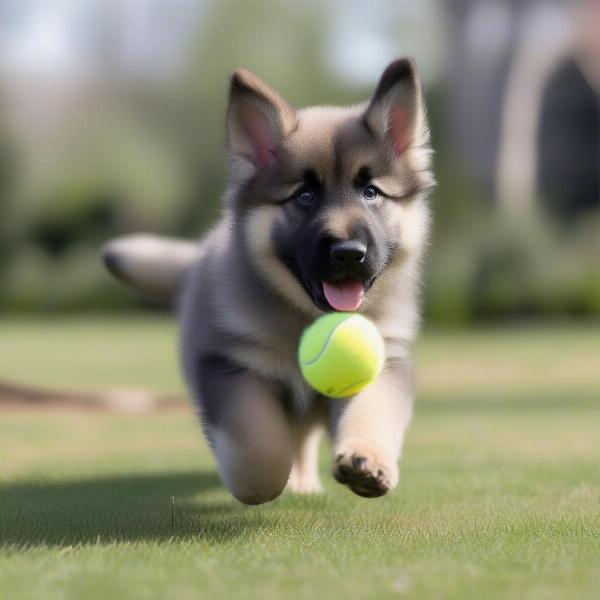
(112, 121)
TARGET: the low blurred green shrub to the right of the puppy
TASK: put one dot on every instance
(509, 267)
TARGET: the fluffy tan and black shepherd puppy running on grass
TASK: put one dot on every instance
(325, 210)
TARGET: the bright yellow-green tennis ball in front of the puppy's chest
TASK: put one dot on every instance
(340, 354)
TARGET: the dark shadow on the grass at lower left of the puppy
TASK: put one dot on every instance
(126, 509)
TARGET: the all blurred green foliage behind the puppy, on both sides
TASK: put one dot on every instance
(144, 156)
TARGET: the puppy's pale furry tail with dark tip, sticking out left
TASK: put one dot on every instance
(154, 264)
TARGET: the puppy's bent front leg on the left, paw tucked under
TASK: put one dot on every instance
(248, 428)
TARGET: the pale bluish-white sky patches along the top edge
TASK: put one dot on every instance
(147, 37)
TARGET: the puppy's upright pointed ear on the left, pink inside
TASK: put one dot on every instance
(258, 119)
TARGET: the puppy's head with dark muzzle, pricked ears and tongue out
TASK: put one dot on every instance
(330, 200)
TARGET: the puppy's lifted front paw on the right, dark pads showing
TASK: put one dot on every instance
(367, 471)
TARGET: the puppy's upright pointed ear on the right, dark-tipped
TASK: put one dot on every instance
(396, 113)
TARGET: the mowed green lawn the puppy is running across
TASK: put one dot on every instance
(499, 494)
